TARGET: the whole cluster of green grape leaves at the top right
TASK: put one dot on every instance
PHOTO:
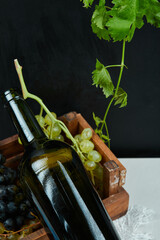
(123, 18)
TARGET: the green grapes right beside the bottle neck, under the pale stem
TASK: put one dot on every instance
(51, 129)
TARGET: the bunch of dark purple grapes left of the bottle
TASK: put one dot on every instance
(14, 207)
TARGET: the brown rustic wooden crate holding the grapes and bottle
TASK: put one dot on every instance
(116, 199)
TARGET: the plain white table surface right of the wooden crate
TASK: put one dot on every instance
(143, 186)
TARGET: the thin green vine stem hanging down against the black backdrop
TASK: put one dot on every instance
(115, 93)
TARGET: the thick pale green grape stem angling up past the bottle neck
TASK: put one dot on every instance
(26, 95)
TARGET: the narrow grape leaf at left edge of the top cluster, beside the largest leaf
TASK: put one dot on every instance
(99, 18)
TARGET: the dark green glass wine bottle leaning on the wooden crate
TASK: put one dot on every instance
(55, 181)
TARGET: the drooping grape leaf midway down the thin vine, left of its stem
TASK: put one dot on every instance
(101, 78)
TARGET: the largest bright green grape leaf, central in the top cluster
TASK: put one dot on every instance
(125, 17)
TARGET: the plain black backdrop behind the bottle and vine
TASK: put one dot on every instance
(54, 43)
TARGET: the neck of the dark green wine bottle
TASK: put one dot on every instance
(24, 120)
